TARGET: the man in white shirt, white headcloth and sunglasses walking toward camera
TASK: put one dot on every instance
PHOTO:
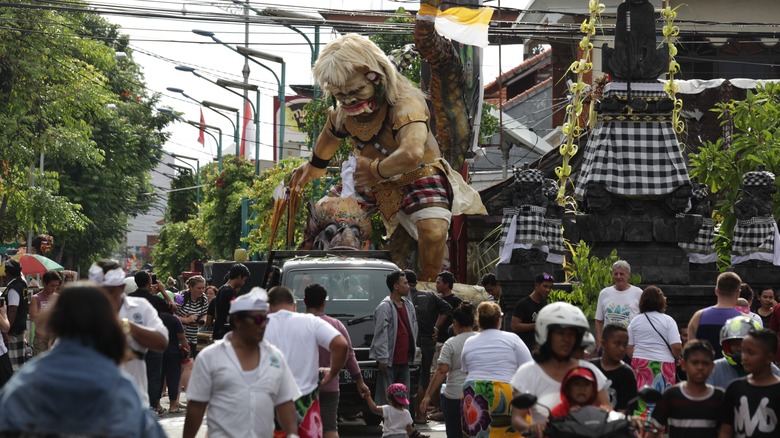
(242, 379)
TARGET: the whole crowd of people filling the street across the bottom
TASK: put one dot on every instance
(105, 352)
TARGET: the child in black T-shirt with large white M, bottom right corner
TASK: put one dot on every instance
(751, 405)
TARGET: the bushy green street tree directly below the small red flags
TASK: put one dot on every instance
(219, 223)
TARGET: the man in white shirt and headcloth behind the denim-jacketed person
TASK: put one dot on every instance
(143, 326)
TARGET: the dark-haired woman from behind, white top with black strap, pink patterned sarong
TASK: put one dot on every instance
(654, 342)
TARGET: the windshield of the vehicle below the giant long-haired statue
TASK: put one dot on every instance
(353, 294)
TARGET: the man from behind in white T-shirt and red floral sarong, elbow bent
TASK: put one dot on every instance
(299, 337)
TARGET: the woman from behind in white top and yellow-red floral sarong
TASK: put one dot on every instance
(490, 359)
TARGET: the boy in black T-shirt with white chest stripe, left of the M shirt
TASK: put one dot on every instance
(690, 409)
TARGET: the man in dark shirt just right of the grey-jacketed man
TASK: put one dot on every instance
(432, 311)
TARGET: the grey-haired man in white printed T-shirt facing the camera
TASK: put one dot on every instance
(617, 304)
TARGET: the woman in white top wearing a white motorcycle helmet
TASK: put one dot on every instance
(559, 330)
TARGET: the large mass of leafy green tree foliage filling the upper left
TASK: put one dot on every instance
(66, 96)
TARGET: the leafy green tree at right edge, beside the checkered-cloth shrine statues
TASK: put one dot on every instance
(755, 143)
